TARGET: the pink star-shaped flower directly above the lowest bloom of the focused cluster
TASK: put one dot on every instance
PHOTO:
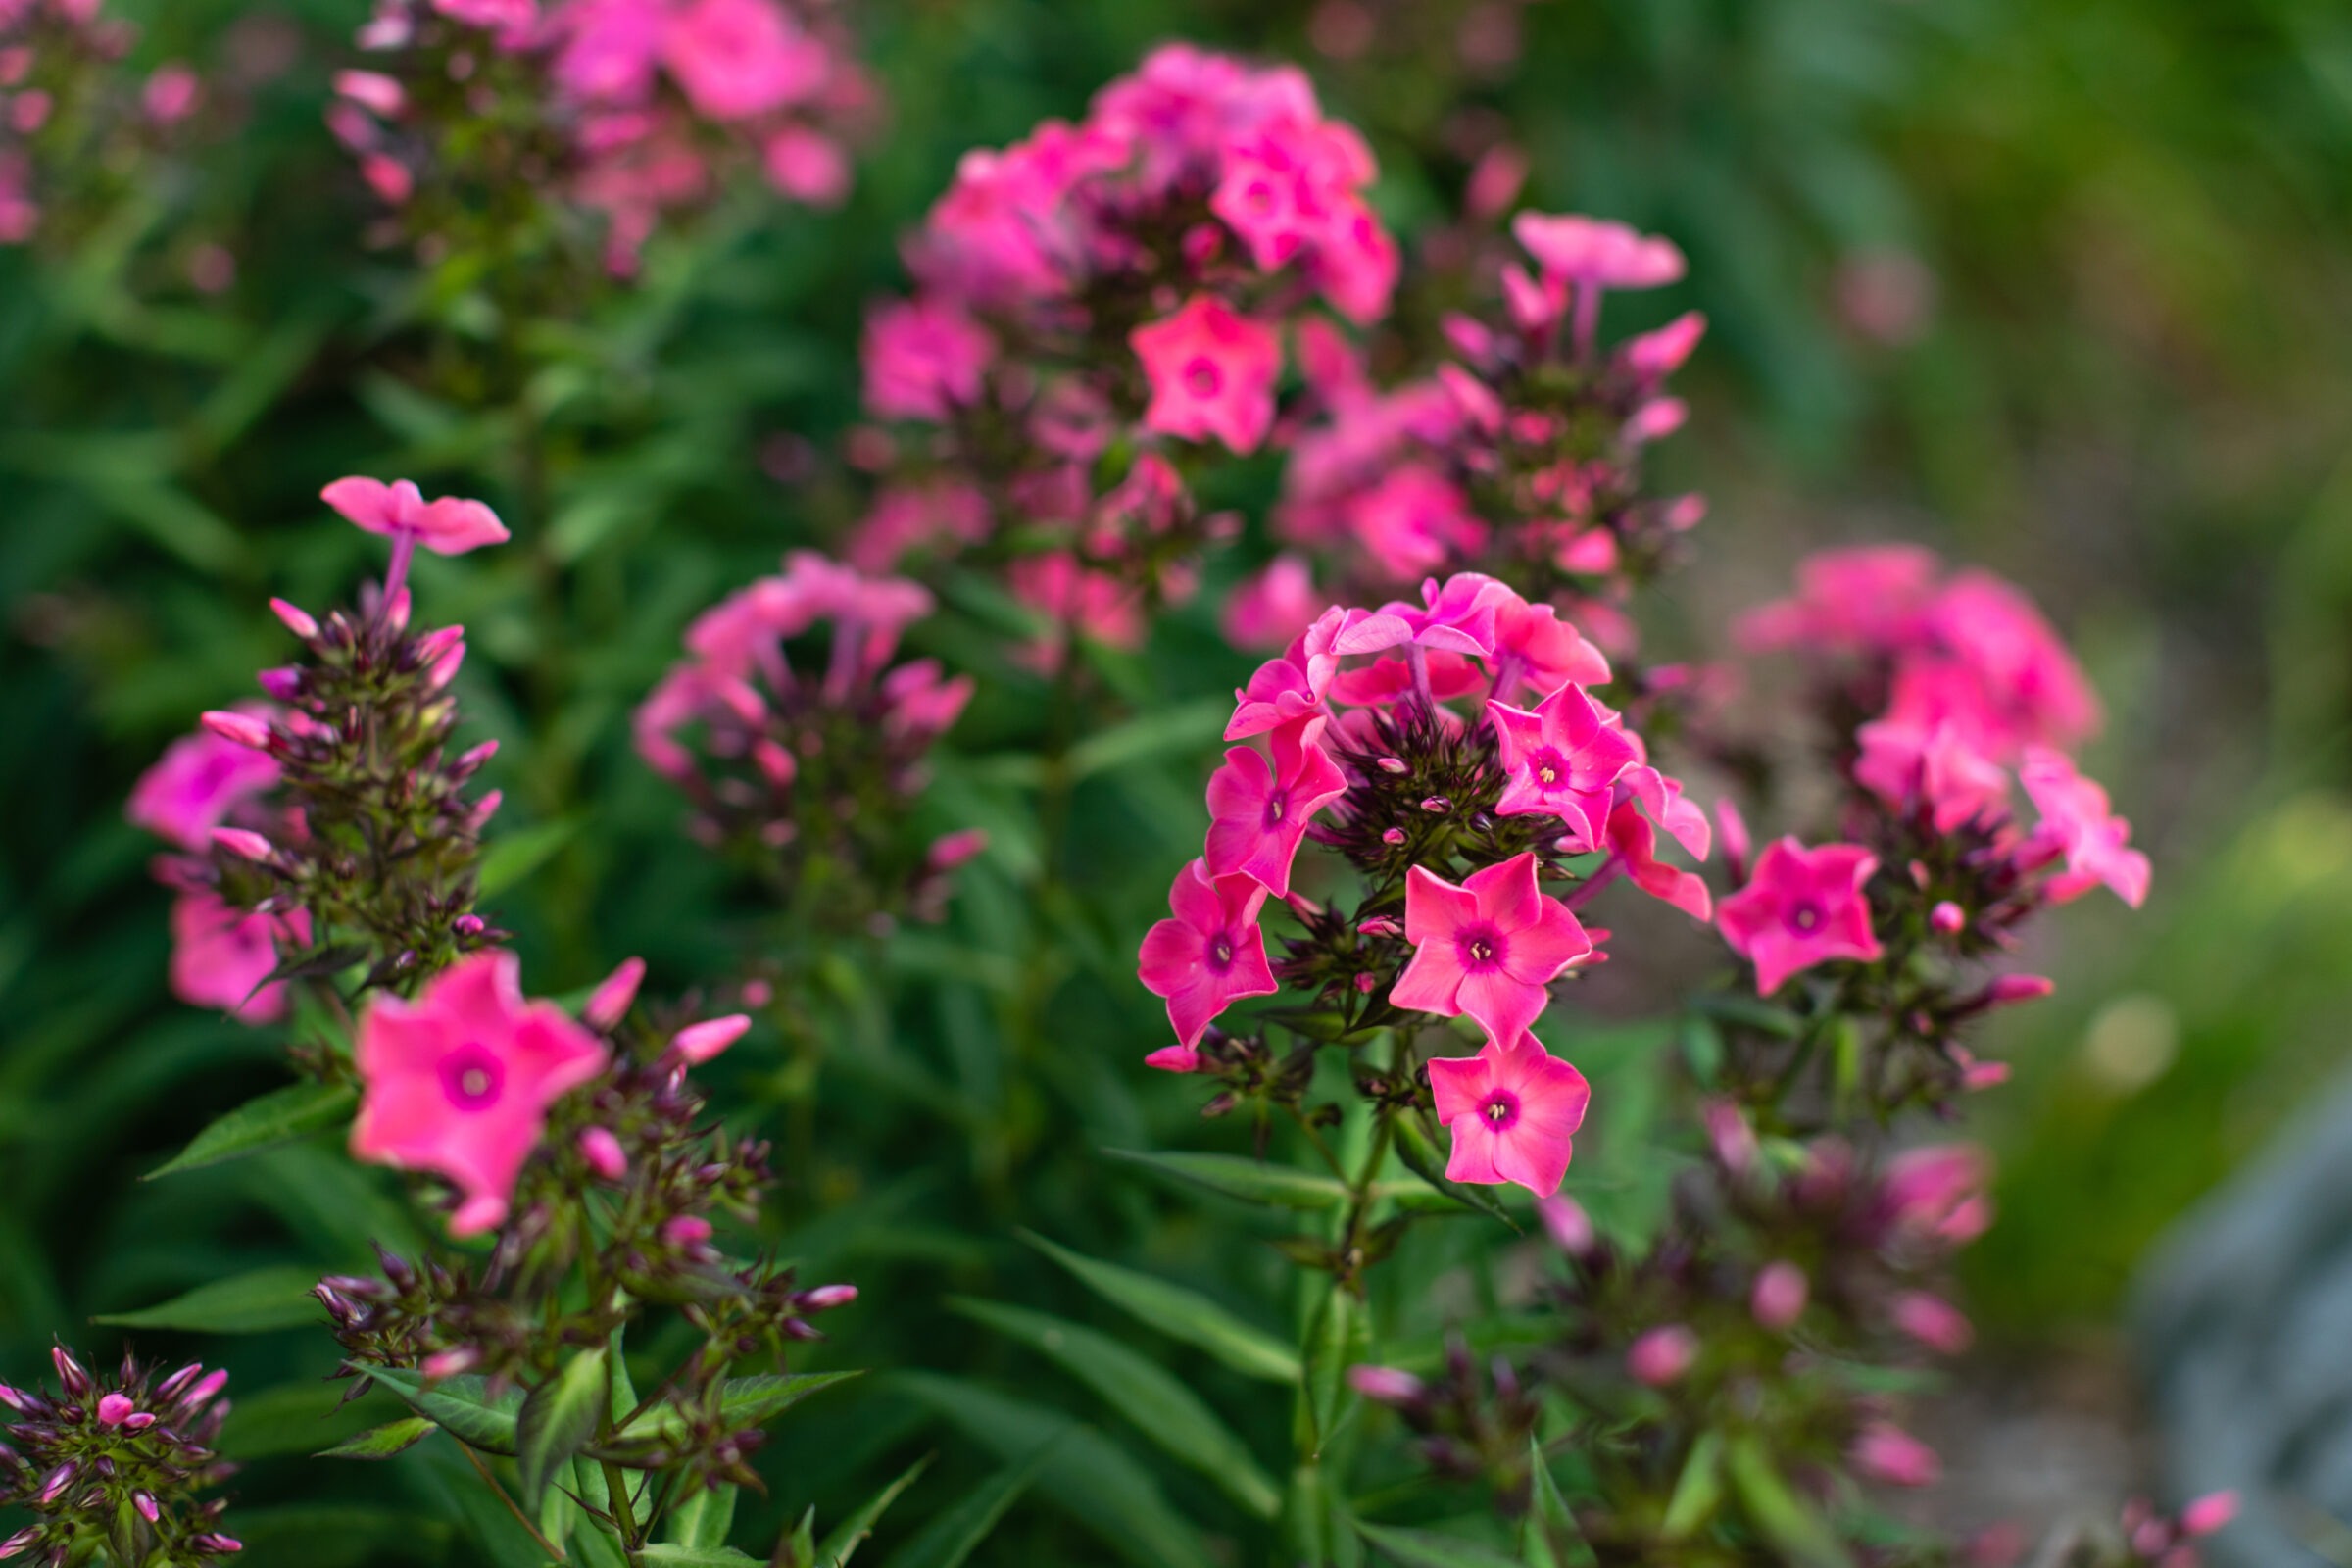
(1488, 949)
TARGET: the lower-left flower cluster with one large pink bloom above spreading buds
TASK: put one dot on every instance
(580, 1148)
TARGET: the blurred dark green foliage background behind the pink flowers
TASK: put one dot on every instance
(2054, 288)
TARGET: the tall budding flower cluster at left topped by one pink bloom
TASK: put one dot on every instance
(330, 826)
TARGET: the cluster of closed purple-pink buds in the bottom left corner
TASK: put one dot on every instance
(112, 1466)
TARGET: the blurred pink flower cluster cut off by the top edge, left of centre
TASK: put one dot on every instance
(490, 123)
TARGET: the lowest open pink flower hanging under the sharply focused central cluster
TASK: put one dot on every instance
(1514, 1113)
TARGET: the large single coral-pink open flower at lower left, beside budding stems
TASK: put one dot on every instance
(462, 1080)
